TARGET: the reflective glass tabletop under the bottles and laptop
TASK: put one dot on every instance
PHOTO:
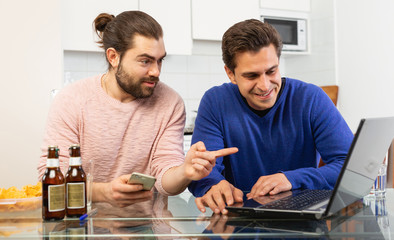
(177, 217)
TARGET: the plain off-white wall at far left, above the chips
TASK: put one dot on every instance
(31, 65)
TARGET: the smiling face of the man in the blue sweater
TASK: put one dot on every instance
(257, 76)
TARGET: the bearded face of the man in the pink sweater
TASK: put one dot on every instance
(139, 69)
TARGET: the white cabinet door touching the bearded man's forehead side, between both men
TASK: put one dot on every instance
(175, 18)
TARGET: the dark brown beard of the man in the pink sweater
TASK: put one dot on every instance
(133, 86)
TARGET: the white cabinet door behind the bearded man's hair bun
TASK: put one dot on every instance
(77, 21)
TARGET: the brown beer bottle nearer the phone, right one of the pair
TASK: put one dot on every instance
(75, 184)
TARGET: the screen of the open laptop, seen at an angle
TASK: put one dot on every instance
(367, 152)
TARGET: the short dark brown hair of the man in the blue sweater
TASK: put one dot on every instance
(248, 35)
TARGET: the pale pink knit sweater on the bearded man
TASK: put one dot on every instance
(144, 135)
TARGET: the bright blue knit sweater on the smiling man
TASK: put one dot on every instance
(303, 125)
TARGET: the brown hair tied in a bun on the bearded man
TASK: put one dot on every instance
(118, 32)
